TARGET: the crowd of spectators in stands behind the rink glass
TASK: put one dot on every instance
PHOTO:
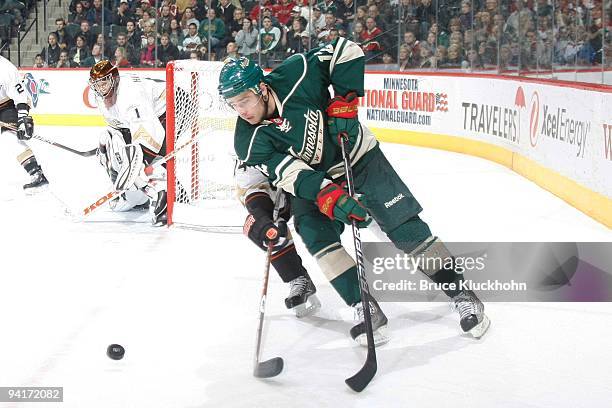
(398, 34)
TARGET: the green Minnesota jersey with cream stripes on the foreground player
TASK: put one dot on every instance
(294, 150)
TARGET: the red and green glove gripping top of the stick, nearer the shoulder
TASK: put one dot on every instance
(342, 117)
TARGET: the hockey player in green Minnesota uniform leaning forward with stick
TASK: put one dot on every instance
(288, 127)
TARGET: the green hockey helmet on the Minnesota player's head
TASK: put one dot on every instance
(239, 75)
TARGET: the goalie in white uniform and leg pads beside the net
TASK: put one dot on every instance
(134, 109)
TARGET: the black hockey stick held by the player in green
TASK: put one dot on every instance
(363, 377)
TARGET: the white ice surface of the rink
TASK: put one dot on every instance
(184, 304)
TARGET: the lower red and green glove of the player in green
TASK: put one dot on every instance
(334, 202)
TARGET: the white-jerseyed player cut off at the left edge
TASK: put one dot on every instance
(15, 113)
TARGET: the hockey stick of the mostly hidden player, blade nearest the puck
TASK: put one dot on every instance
(273, 366)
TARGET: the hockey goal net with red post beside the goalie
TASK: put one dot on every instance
(201, 189)
